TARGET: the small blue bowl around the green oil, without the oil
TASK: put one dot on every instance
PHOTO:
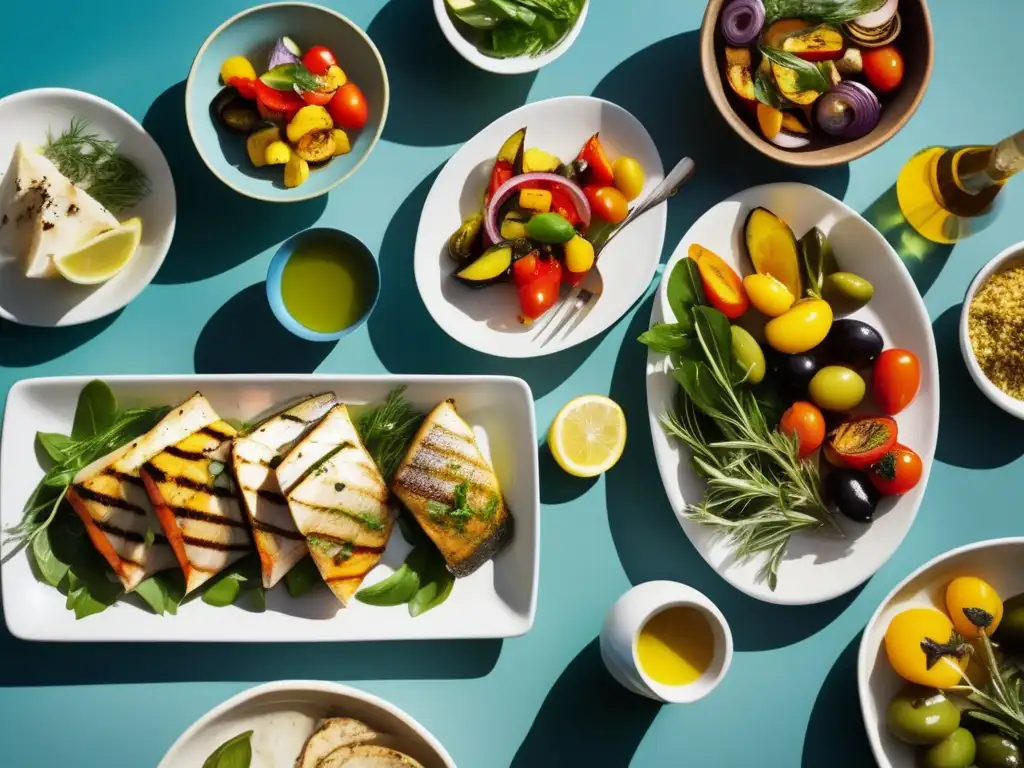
(320, 235)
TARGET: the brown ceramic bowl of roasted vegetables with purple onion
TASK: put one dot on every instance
(817, 83)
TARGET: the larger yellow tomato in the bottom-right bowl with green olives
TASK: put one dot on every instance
(904, 647)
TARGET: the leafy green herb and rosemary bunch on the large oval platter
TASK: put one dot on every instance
(760, 493)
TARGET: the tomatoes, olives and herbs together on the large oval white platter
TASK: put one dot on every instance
(755, 418)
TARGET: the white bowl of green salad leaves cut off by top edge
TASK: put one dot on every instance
(511, 37)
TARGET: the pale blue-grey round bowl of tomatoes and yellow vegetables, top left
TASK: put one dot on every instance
(286, 102)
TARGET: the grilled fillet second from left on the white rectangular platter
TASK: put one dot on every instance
(194, 498)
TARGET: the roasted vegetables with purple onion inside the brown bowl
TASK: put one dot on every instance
(808, 70)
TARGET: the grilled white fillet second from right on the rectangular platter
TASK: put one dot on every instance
(338, 501)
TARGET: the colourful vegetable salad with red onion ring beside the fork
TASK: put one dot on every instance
(544, 222)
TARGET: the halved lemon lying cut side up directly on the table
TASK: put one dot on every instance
(588, 437)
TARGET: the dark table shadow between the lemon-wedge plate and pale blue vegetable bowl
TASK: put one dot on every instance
(218, 229)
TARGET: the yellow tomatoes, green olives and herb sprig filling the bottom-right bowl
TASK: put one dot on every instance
(963, 706)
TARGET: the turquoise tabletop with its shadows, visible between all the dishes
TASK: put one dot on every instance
(542, 700)
